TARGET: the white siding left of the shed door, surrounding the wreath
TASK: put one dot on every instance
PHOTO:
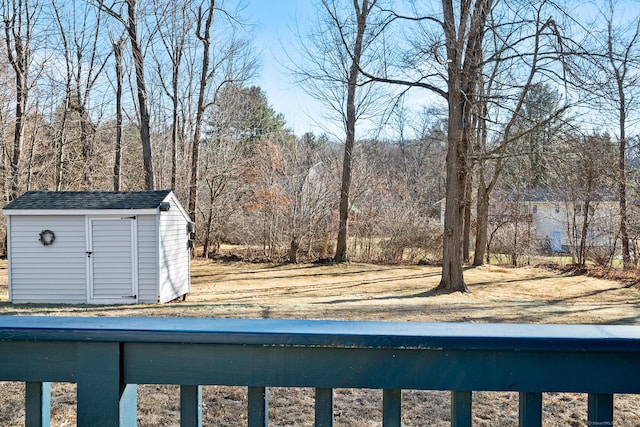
(55, 273)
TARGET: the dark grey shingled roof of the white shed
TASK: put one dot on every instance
(76, 200)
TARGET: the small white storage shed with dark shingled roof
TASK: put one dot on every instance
(97, 247)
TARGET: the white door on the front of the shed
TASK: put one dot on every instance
(112, 260)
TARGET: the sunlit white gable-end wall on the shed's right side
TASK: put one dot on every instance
(174, 254)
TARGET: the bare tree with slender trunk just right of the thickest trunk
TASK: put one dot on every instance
(524, 52)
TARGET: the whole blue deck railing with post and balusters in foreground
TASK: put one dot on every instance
(108, 357)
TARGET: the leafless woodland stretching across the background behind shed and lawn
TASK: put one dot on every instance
(516, 96)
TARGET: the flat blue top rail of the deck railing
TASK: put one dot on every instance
(314, 333)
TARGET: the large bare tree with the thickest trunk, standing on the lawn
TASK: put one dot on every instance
(448, 56)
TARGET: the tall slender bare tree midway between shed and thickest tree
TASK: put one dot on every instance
(334, 54)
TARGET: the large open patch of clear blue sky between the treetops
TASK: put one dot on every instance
(275, 33)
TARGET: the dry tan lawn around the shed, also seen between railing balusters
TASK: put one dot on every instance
(363, 292)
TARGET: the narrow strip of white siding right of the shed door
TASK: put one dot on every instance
(147, 259)
